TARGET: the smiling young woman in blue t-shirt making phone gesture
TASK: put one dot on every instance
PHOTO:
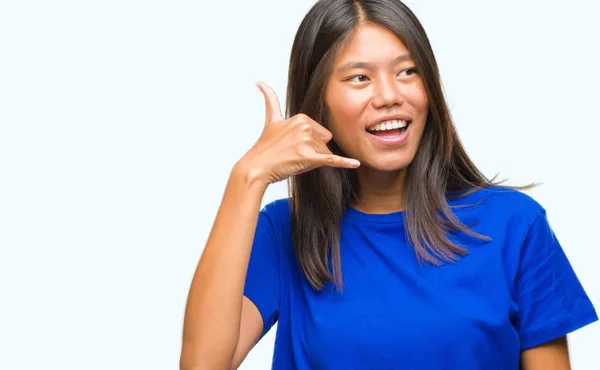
(393, 250)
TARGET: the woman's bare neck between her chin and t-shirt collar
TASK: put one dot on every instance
(380, 192)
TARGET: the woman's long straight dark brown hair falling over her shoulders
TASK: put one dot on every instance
(440, 171)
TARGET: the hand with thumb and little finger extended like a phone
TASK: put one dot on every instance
(289, 147)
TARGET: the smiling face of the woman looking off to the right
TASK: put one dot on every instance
(371, 94)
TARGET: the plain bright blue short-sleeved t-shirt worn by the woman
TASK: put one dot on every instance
(514, 292)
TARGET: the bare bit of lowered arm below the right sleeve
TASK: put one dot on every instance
(552, 355)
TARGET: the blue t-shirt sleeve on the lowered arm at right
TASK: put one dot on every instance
(551, 300)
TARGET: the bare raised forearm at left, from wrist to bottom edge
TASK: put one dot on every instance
(213, 310)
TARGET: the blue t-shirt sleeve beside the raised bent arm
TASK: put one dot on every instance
(262, 278)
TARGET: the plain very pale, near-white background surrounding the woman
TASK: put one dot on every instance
(120, 121)
